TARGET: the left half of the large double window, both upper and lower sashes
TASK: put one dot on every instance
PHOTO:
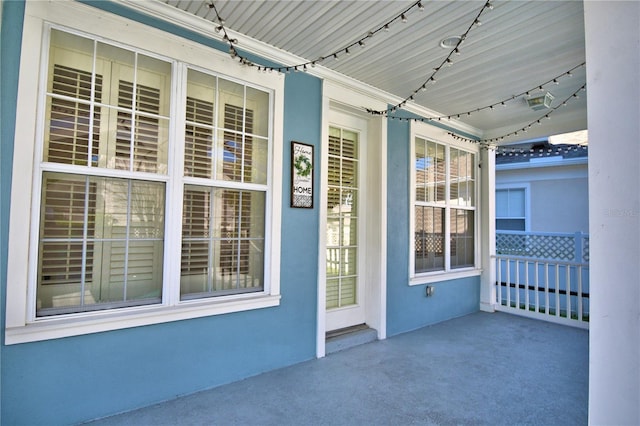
(101, 234)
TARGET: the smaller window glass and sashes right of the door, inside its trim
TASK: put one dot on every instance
(444, 212)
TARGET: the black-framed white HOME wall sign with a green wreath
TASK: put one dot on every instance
(301, 175)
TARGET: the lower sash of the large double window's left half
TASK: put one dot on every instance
(101, 243)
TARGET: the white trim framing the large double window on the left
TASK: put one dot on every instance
(21, 327)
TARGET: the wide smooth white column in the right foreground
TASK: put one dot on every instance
(613, 98)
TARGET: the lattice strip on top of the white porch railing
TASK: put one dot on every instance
(544, 246)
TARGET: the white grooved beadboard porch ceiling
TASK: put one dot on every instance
(519, 46)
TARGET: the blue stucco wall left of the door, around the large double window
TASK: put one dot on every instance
(74, 379)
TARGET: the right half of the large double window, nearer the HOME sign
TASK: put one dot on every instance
(222, 224)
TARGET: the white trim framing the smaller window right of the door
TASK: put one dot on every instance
(441, 136)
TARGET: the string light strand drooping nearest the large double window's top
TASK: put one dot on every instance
(402, 16)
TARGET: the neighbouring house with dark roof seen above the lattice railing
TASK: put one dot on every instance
(542, 188)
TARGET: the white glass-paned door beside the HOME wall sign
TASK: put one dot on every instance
(345, 286)
